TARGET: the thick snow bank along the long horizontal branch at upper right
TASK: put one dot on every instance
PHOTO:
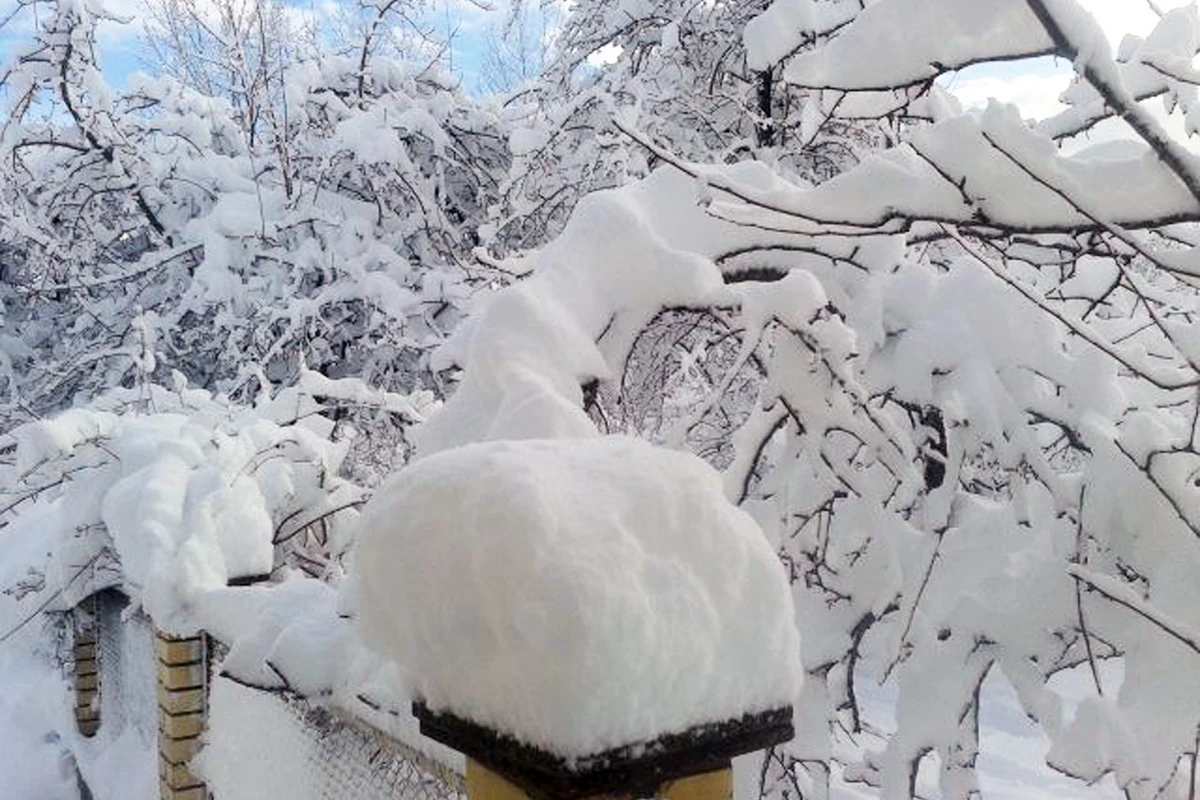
(952, 172)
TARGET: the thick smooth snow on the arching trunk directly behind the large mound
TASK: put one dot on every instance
(530, 348)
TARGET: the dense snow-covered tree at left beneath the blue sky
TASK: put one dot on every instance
(233, 226)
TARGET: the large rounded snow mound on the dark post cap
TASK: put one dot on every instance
(579, 596)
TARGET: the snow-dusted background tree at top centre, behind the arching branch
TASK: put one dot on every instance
(679, 71)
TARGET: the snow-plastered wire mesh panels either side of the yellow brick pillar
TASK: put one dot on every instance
(261, 745)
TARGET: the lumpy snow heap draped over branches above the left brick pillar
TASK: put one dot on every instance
(188, 497)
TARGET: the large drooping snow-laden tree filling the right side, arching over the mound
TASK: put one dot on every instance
(957, 384)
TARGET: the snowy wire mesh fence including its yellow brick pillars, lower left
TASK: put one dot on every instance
(134, 679)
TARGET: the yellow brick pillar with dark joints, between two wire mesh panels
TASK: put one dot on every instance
(183, 708)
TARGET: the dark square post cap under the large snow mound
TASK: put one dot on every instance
(635, 771)
